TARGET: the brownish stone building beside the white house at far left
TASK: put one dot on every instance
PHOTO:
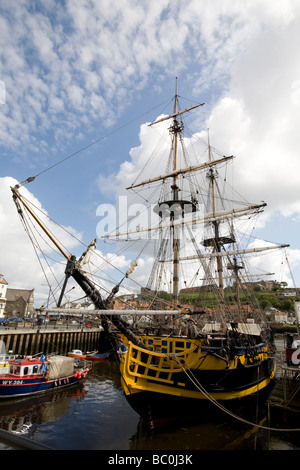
(19, 302)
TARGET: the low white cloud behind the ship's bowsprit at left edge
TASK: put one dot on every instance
(20, 264)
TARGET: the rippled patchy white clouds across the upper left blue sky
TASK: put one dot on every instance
(66, 57)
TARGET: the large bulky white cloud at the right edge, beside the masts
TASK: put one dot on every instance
(257, 119)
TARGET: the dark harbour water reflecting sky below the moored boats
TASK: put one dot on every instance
(94, 415)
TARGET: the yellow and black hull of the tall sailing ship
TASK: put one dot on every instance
(187, 373)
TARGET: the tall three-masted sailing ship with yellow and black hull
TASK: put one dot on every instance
(195, 336)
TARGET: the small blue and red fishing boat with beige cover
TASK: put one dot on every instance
(30, 375)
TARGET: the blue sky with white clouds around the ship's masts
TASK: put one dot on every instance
(80, 80)
